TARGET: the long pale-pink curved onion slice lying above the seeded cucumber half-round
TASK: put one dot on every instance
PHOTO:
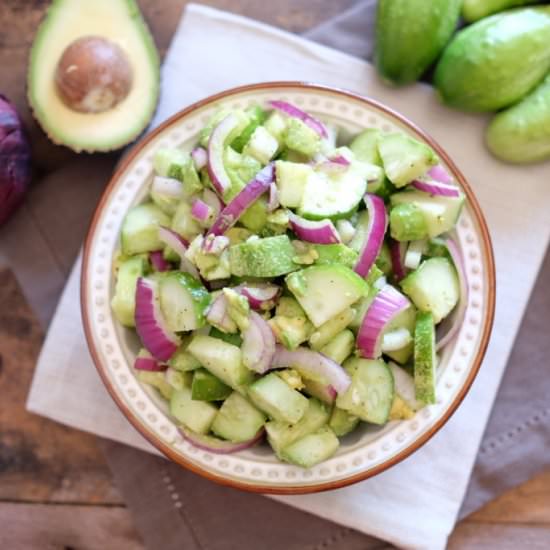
(312, 364)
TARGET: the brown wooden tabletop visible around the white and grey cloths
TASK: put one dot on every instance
(56, 490)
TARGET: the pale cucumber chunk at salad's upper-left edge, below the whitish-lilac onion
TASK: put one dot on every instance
(140, 229)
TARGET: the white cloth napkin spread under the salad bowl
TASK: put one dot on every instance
(416, 503)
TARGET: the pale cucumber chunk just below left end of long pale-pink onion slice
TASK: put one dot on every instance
(274, 396)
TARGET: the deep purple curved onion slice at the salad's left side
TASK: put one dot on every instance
(156, 338)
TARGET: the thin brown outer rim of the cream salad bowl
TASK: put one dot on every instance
(485, 238)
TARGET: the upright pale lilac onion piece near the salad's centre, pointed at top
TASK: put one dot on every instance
(258, 345)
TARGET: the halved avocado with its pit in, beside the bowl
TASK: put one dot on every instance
(109, 123)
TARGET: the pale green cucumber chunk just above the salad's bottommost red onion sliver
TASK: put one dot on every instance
(238, 420)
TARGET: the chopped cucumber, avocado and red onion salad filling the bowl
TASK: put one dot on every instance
(288, 284)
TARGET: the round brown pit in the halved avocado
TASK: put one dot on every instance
(93, 75)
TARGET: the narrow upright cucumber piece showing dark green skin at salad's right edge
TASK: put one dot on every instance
(425, 360)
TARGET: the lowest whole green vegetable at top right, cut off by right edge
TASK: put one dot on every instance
(521, 134)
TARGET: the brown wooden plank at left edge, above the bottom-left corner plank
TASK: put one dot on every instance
(39, 459)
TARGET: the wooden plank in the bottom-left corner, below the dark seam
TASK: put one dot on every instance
(60, 527)
